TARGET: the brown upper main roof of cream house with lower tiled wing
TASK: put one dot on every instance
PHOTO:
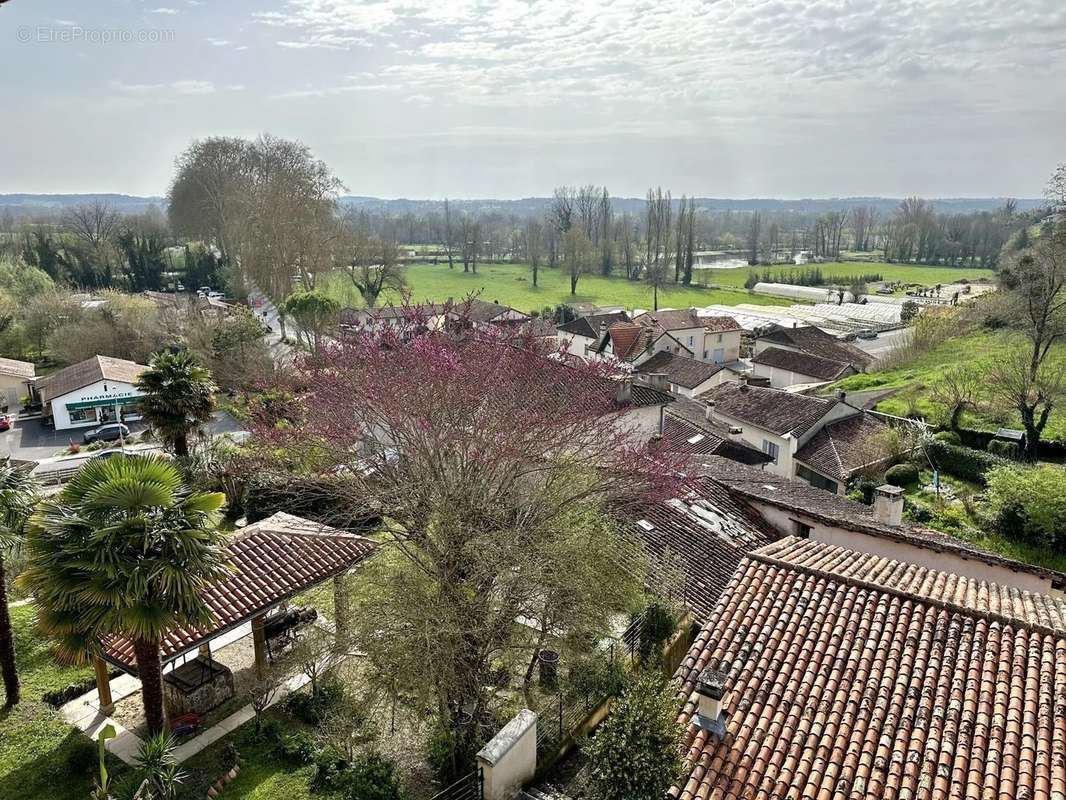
(771, 410)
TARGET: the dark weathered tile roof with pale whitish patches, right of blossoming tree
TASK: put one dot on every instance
(701, 536)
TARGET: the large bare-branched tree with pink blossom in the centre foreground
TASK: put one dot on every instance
(497, 468)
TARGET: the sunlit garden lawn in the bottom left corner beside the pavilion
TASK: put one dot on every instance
(41, 757)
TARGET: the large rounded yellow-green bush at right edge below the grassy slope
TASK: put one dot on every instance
(1029, 504)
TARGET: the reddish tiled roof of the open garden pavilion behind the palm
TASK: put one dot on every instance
(273, 561)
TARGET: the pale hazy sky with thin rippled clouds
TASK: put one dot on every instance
(466, 99)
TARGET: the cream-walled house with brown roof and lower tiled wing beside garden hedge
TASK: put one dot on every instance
(781, 424)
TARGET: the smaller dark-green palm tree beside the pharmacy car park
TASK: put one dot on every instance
(177, 397)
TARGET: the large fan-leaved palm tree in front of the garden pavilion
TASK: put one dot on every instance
(124, 550)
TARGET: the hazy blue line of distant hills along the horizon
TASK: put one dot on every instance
(29, 205)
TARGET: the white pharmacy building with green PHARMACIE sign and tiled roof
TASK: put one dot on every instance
(99, 390)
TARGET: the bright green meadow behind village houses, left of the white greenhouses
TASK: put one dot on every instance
(512, 285)
